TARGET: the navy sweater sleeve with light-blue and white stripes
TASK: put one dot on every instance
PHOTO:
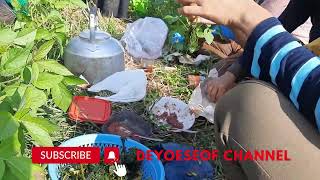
(274, 55)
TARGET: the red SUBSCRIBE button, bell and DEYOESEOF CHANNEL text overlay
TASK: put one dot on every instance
(91, 155)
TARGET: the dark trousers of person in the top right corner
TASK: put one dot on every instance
(298, 12)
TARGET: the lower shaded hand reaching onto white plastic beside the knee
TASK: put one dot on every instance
(215, 88)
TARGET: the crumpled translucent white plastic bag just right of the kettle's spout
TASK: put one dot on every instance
(145, 38)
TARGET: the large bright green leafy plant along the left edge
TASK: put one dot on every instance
(30, 75)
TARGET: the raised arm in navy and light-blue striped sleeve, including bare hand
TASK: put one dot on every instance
(271, 53)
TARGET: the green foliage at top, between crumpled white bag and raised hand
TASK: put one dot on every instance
(194, 33)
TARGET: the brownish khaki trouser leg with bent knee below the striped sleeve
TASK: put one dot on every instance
(256, 116)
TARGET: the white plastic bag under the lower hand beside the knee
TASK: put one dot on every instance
(200, 105)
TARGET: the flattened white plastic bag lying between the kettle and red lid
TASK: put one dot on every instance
(129, 86)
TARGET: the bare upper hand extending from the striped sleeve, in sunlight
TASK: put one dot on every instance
(241, 16)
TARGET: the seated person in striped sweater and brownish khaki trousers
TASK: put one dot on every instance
(278, 110)
